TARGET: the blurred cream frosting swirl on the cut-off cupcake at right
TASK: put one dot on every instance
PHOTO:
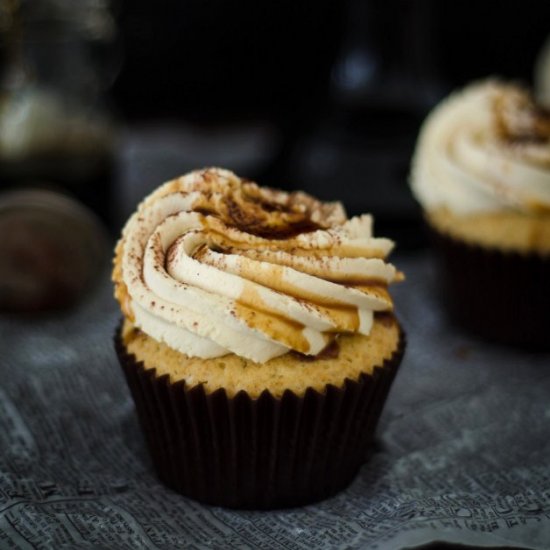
(484, 149)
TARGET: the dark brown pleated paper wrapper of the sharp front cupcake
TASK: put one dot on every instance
(261, 453)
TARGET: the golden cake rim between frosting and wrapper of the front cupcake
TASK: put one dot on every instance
(357, 354)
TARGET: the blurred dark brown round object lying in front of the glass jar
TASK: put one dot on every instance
(52, 250)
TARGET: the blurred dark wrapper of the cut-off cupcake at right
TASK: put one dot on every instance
(498, 295)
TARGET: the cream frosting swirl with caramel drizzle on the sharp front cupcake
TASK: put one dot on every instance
(211, 264)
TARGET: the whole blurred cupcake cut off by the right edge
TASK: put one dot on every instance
(481, 172)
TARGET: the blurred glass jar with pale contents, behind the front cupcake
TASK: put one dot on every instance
(55, 130)
